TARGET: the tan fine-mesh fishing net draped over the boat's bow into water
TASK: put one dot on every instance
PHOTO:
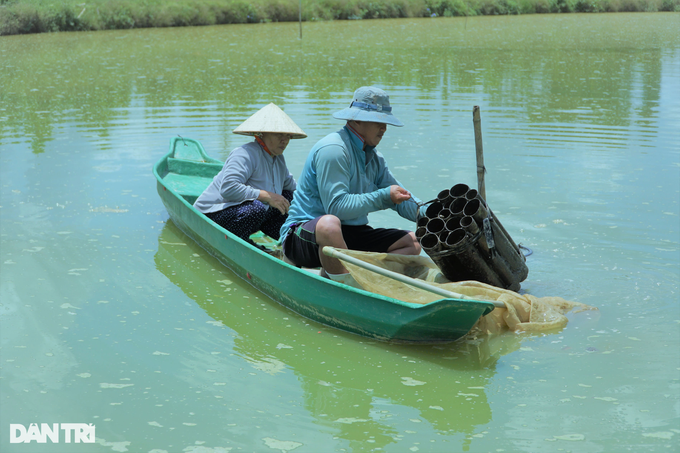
(523, 312)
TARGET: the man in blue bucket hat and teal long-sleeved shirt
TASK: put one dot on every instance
(343, 180)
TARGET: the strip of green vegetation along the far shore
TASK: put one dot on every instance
(37, 16)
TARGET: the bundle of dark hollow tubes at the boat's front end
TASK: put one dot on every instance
(467, 242)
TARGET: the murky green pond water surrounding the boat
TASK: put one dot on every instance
(110, 316)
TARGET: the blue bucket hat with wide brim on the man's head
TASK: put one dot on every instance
(369, 104)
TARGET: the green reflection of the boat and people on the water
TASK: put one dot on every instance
(369, 387)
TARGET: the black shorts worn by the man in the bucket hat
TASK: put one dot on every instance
(301, 248)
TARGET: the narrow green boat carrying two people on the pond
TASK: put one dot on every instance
(182, 175)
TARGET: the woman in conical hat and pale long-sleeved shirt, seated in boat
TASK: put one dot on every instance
(254, 189)
